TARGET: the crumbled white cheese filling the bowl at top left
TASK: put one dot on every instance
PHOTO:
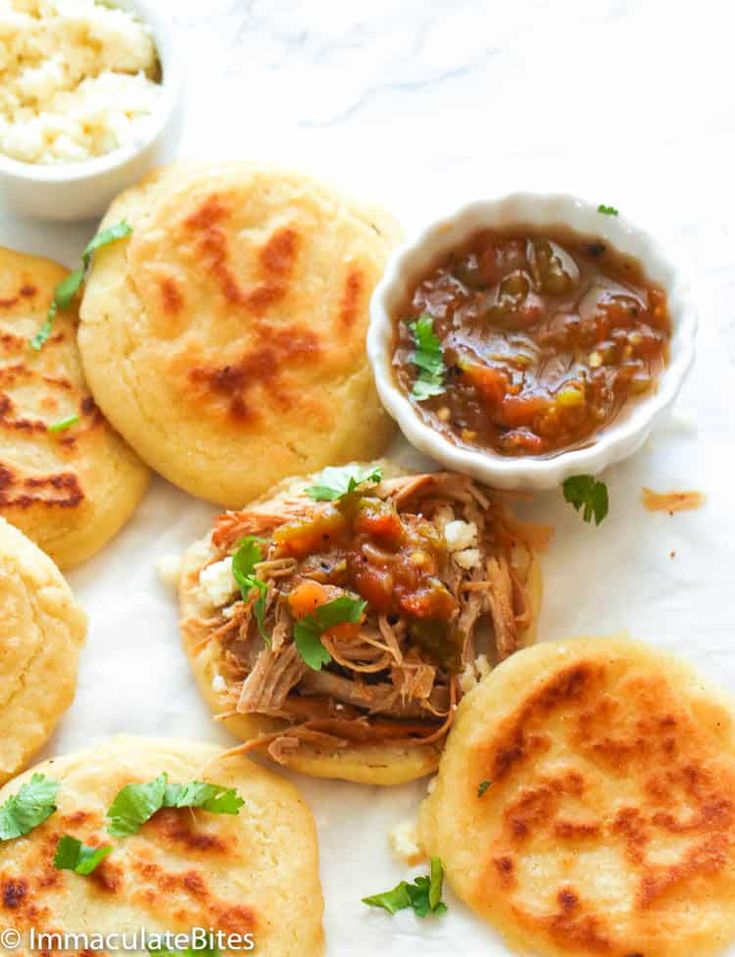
(78, 78)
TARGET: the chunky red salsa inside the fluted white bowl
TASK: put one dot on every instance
(527, 342)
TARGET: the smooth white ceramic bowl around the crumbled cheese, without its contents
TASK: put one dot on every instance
(83, 190)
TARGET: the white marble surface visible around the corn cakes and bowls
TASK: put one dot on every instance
(420, 105)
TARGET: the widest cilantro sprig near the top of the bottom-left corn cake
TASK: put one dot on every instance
(137, 803)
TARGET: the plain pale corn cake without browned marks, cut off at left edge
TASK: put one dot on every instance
(42, 630)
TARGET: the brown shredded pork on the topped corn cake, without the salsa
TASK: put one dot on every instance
(382, 683)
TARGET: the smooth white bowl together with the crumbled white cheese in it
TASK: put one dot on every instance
(90, 100)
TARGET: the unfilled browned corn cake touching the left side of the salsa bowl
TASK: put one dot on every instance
(225, 340)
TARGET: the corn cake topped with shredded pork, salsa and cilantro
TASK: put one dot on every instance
(337, 622)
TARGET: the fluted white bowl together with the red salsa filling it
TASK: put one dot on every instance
(530, 338)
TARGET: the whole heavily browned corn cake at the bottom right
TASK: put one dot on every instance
(608, 826)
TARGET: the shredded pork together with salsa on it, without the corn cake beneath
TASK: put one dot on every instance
(439, 569)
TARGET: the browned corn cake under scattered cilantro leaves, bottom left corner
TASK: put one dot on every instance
(255, 872)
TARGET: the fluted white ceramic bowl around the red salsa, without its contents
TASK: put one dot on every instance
(616, 441)
